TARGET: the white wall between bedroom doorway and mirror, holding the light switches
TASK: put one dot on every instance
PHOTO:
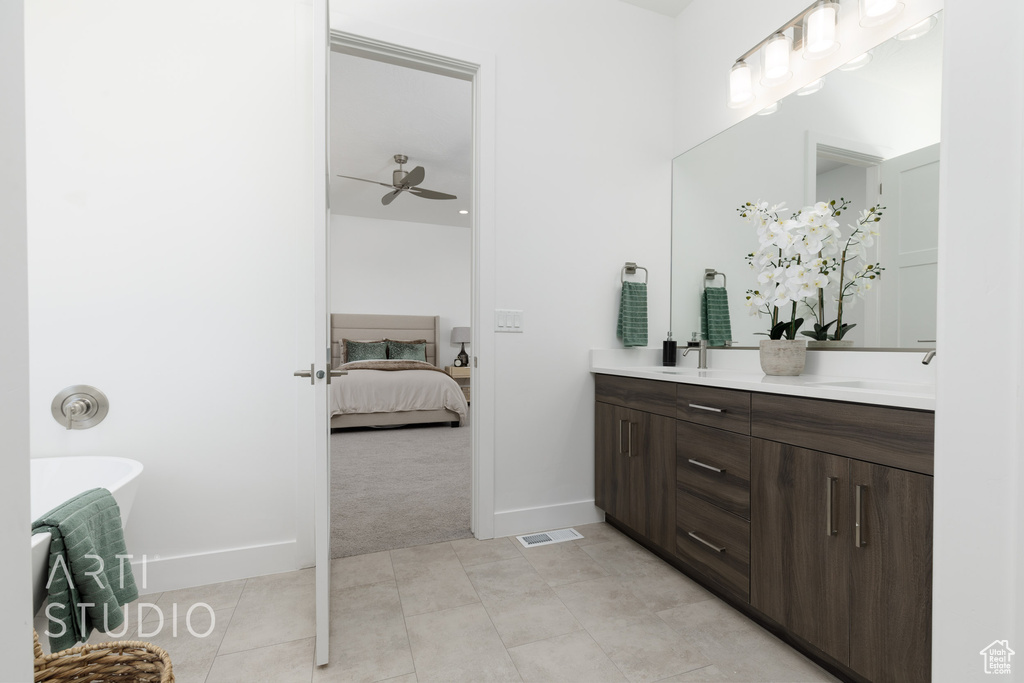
(584, 131)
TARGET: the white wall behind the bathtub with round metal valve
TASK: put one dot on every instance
(169, 150)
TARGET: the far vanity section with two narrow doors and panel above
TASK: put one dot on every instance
(635, 457)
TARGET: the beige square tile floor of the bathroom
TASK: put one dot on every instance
(601, 609)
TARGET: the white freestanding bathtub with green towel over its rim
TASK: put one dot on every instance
(57, 480)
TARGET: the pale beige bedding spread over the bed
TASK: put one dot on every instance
(396, 391)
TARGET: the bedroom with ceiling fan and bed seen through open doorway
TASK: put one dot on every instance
(402, 292)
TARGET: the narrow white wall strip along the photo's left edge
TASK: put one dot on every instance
(16, 627)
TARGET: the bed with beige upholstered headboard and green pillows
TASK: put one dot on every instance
(369, 397)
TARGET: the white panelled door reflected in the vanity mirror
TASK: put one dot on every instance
(909, 248)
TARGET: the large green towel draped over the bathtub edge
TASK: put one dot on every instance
(88, 582)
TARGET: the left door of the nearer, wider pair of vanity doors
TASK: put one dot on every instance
(800, 543)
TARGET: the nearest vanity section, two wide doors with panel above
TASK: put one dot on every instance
(842, 546)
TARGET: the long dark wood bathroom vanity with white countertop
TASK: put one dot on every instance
(810, 513)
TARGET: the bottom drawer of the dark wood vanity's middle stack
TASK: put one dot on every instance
(714, 542)
